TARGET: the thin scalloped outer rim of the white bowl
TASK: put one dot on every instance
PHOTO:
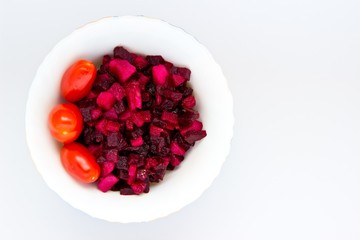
(231, 121)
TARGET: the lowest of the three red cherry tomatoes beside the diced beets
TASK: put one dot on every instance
(79, 162)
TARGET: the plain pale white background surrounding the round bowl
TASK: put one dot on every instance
(294, 71)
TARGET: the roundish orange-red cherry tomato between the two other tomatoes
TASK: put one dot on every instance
(65, 122)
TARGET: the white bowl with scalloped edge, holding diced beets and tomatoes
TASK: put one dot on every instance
(147, 36)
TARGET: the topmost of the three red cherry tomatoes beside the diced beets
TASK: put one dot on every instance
(77, 81)
